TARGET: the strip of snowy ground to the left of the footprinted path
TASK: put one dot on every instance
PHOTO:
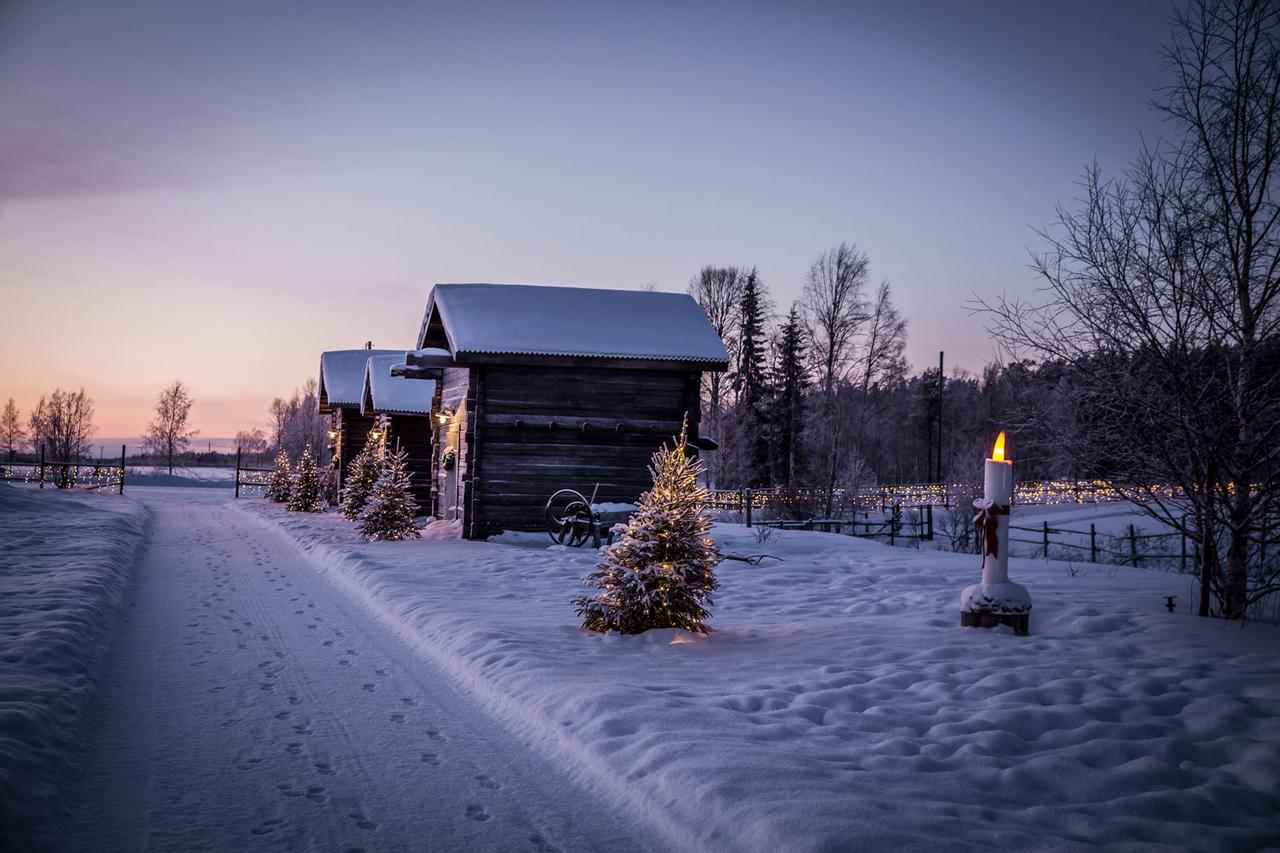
(65, 565)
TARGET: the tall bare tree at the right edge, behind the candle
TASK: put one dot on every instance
(1163, 295)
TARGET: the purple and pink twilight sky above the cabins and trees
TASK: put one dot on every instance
(220, 191)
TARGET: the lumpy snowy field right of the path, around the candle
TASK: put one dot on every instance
(838, 705)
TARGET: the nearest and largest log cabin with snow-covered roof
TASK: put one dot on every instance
(542, 389)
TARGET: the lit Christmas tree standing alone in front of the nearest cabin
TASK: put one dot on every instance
(661, 572)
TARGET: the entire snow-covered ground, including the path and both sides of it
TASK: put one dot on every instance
(440, 695)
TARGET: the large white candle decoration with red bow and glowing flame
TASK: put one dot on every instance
(995, 601)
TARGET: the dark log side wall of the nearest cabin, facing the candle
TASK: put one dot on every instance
(540, 430)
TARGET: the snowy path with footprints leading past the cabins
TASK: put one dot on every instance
(250, 706)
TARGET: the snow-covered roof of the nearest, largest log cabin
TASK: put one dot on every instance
(529, 320)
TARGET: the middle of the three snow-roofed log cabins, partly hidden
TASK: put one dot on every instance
(408, 405)
